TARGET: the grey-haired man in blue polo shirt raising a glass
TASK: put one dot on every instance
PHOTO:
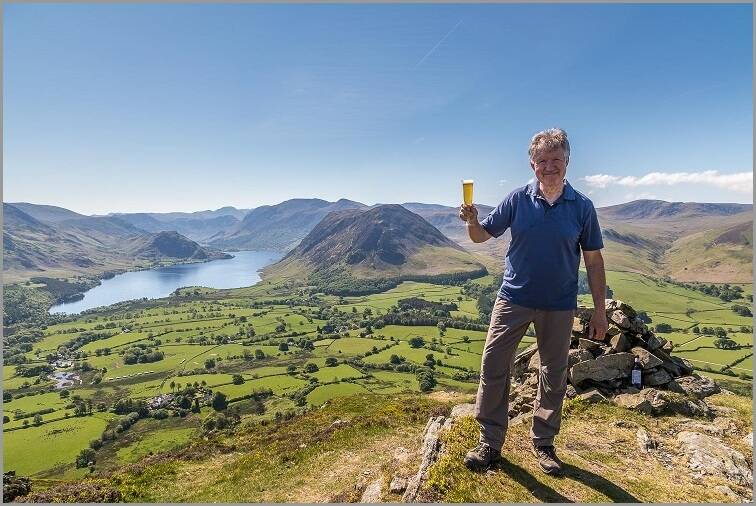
(550, 223)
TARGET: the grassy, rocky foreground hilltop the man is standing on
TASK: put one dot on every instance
(369, 448)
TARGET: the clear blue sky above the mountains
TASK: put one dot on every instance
(126, 108)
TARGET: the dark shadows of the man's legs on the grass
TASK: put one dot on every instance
(545, 493)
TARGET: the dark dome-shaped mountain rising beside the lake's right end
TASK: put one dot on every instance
(385, 241)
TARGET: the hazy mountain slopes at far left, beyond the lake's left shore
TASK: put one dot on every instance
(50, 241)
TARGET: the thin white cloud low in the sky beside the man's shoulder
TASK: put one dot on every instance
(739, 181)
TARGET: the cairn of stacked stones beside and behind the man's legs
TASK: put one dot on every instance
(601, 369)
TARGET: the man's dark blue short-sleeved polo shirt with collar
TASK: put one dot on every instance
(541, 267)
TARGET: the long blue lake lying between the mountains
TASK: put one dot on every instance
(162, 281)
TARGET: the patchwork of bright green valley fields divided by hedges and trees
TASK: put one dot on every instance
(180, 326)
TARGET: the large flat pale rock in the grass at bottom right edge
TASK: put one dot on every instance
(709, 456)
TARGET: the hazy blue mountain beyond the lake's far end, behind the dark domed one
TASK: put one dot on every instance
(279, 227)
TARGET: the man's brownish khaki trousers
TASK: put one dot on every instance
(508, 324)
